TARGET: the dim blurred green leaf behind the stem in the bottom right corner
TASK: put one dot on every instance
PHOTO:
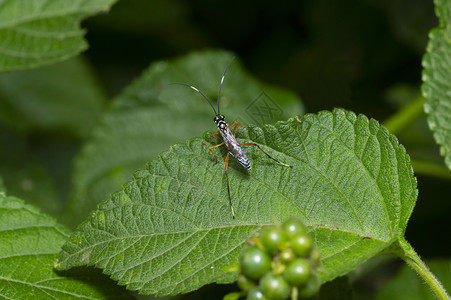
(407, 284)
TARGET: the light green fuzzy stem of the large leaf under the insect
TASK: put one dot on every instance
(406, 252)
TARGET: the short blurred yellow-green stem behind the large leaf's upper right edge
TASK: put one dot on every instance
(405, 116)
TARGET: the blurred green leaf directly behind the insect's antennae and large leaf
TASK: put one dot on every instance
(150, 115)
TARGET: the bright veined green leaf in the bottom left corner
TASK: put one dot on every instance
(29, 242)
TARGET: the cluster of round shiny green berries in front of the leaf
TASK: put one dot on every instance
(280, 262)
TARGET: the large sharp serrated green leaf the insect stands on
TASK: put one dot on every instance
(170, 229)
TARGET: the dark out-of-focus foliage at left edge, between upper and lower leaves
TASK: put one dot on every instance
(44, 113)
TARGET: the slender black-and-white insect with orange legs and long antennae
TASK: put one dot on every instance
(233, 147)
